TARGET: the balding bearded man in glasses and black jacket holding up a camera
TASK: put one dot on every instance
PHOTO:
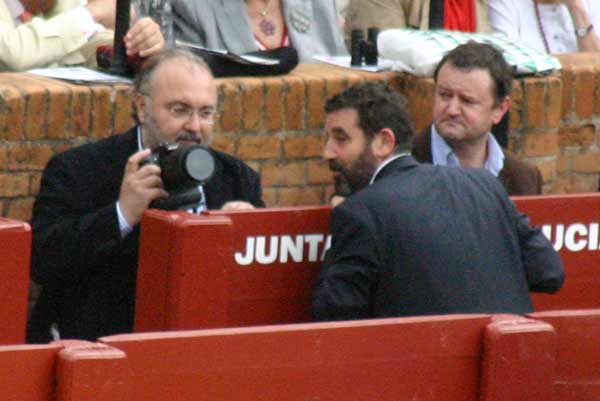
(86, 216)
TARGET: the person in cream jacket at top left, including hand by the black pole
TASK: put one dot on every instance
(66, 32)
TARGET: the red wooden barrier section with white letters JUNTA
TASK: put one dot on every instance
(228, 269)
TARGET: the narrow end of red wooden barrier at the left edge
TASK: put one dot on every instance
(15, 249)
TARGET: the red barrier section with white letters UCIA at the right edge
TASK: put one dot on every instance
(572, 222)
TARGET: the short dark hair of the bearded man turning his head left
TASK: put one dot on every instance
(378, 107)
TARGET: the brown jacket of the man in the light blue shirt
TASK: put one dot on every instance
(518, 177)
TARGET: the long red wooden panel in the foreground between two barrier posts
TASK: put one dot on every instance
(425, 358)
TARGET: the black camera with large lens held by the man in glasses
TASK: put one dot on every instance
(183, 169)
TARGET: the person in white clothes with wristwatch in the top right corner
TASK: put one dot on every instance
(551, 26)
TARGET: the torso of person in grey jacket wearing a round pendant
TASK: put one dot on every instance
(312, 27)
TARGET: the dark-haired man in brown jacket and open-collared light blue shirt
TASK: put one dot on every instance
(472, 93)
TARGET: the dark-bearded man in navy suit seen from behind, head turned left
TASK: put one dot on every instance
(417, 239)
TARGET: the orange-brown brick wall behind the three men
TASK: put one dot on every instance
(275, 125)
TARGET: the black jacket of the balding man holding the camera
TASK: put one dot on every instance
(87, 271)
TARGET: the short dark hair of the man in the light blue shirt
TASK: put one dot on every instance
(482, 56)
